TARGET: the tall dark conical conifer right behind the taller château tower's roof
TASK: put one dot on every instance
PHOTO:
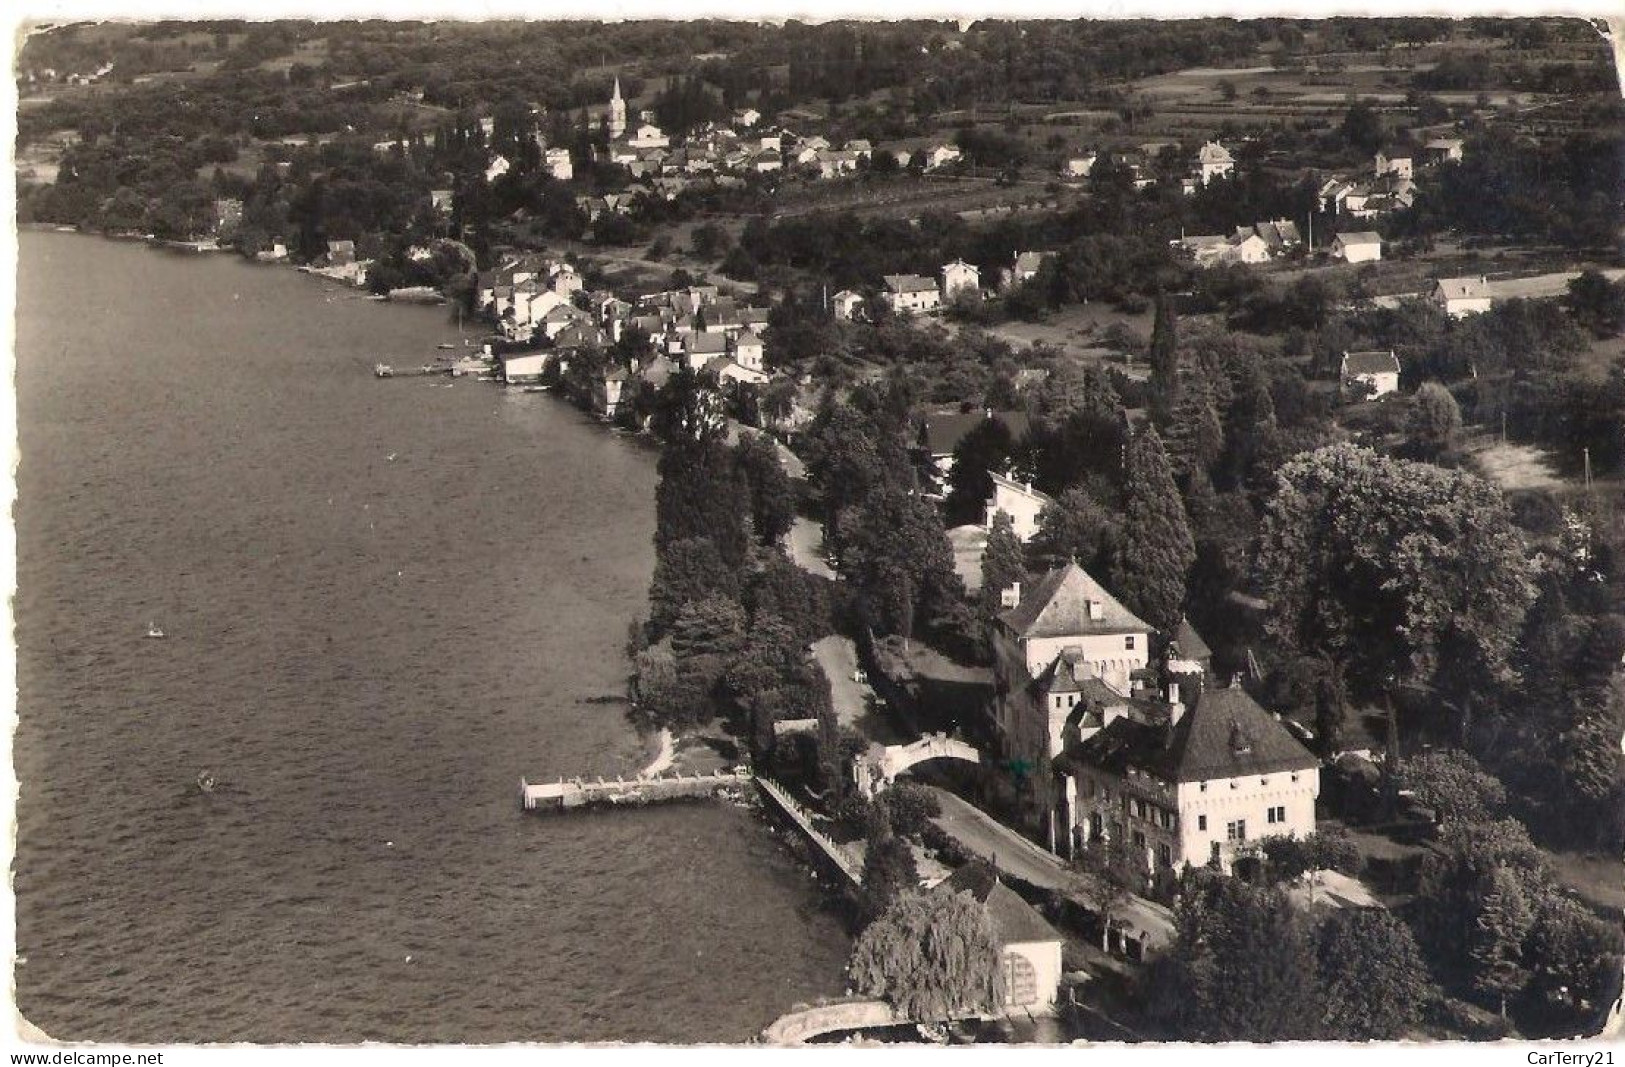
(1156, 551)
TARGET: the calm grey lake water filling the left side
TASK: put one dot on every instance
(368, 654)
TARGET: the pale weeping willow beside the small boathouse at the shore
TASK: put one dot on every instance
(932, 956)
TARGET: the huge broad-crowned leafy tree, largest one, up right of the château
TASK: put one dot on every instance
(1395, 569)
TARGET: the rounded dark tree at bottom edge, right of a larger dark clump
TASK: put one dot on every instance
(1372, 978)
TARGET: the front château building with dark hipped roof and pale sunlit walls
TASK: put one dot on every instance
(1205, 785)
